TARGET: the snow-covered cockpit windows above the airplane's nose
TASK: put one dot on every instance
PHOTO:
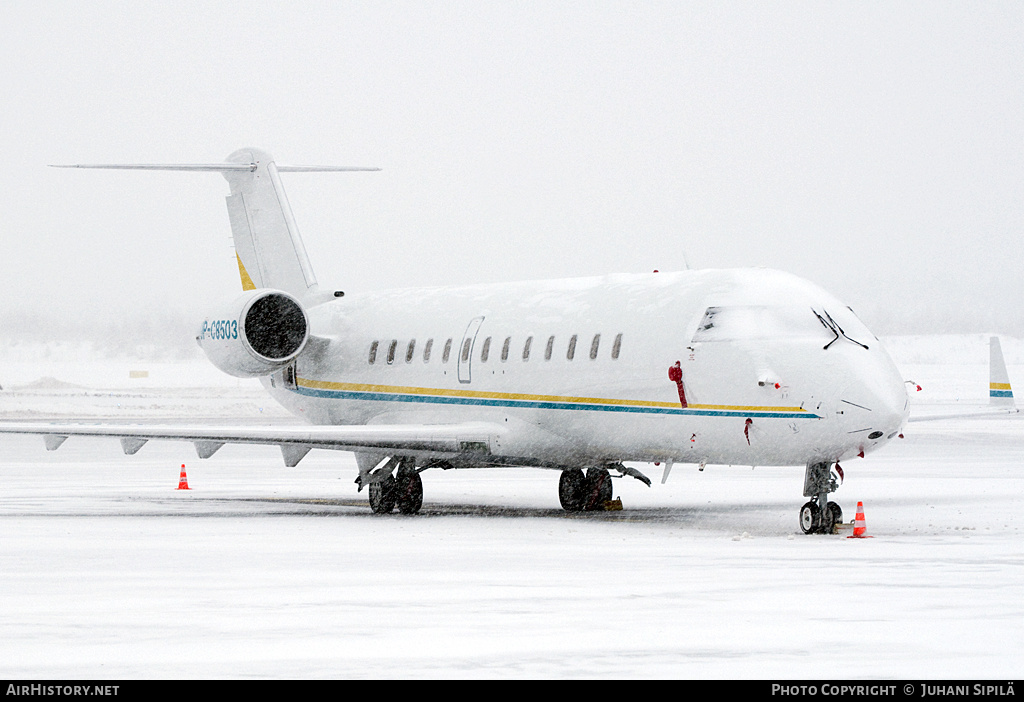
(753, 323)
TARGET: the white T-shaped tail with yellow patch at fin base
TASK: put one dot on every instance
(270, 251)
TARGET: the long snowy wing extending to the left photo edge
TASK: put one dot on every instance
(477, 441)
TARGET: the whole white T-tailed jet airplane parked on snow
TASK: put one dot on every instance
(581, 376)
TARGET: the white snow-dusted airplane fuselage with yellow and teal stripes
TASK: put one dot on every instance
(577, 372)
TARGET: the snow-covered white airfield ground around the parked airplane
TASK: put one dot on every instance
(263, 572)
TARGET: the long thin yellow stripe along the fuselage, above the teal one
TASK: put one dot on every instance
(523, 398)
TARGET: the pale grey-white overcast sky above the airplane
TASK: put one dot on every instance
(875, 149)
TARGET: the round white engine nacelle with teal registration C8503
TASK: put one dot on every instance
(260, 333)
